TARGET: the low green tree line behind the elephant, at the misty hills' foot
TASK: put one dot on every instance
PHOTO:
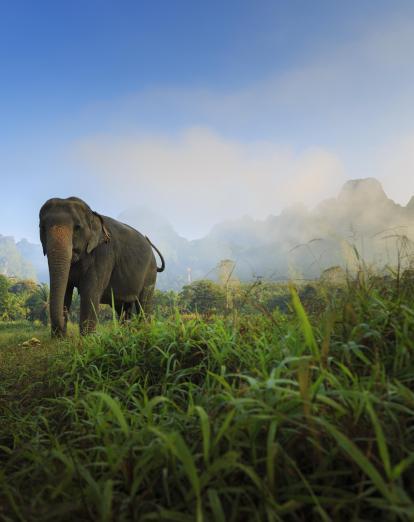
(27, 300)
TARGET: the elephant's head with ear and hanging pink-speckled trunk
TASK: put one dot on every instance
(69, 230)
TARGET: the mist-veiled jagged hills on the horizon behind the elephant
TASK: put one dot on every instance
(298, 241)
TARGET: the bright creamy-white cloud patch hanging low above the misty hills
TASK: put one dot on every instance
(199, 178)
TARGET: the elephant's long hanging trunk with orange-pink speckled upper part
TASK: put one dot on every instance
(59, 255)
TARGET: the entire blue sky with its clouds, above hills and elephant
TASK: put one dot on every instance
(201, 110)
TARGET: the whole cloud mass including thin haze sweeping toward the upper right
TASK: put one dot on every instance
(348, 100)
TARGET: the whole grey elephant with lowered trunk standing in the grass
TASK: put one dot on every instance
(109, 262)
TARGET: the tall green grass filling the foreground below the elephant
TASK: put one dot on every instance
(306, 415)
